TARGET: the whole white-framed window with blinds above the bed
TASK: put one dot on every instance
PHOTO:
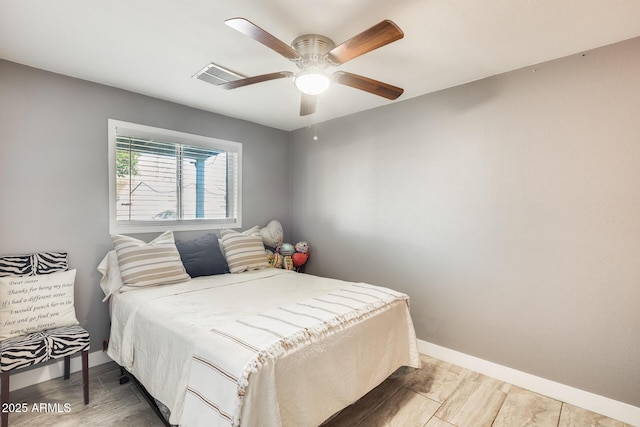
(162, 179)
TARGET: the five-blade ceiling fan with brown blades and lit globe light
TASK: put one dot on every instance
(313, 54)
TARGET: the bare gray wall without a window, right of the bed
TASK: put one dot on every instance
(508, 209)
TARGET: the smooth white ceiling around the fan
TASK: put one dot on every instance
(154, 47)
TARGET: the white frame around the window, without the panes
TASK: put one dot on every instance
(120, 128)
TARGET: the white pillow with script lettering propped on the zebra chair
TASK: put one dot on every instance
(35, 303)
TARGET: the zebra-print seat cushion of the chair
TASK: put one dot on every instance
(22, 351)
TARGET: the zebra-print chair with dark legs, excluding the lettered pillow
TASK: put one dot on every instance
(62, 342)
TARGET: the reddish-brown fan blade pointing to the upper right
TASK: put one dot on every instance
(377, 36)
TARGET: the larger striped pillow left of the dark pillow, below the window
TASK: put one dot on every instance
(149, 264)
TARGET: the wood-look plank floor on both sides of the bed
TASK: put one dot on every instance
(438, 395)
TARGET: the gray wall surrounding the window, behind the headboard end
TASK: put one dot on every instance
(54, 177)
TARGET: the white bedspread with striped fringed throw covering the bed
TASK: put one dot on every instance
(318, 345)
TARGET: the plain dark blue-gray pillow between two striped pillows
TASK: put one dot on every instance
(202, 256)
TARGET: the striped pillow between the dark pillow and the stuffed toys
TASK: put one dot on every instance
(243, 251)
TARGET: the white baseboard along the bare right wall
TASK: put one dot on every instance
(583, 399)
